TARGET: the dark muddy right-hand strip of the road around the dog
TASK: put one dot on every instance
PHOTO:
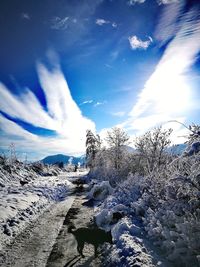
(64, 252)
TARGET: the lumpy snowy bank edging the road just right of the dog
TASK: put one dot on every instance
(131, 245)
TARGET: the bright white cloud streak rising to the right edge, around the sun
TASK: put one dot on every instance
(167, 94)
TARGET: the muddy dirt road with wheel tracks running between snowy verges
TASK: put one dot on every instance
(46, 241)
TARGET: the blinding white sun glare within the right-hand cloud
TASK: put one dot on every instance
(169, 90)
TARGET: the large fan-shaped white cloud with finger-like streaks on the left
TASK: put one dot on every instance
(63, 116)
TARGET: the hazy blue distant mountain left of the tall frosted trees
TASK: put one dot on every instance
(64, 159)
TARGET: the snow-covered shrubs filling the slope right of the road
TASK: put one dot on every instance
(158, 214)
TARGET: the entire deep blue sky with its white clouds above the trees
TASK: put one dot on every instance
(67, 66)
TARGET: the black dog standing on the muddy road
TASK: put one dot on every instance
(92, 236)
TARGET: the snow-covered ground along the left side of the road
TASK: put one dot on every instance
(20, 205)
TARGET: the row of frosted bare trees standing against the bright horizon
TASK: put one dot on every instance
(118, 160)
